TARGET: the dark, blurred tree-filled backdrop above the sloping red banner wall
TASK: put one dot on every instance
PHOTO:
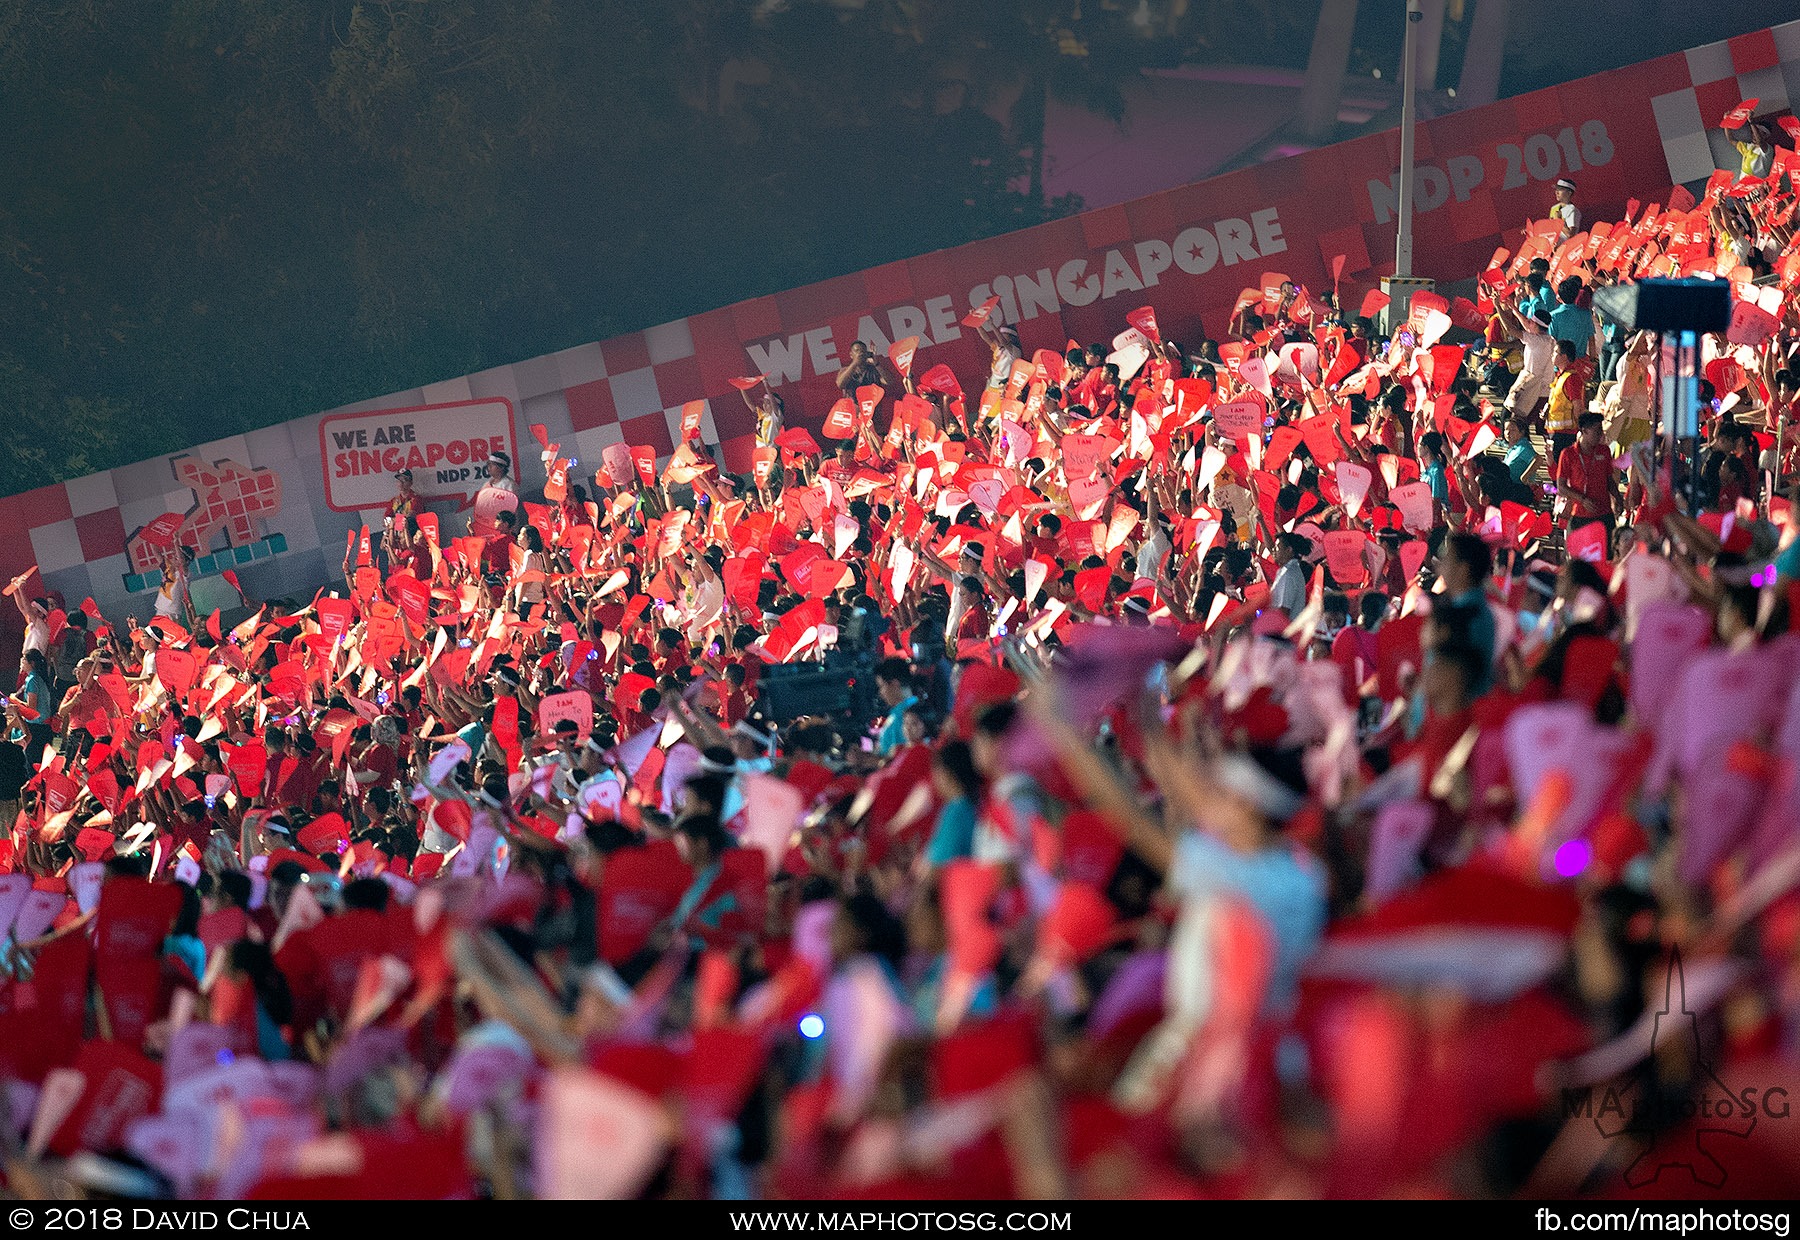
(217, 215)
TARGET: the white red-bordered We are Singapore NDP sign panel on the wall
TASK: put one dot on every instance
(447, 449)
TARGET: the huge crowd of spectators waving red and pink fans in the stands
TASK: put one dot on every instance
(1313, 762)
